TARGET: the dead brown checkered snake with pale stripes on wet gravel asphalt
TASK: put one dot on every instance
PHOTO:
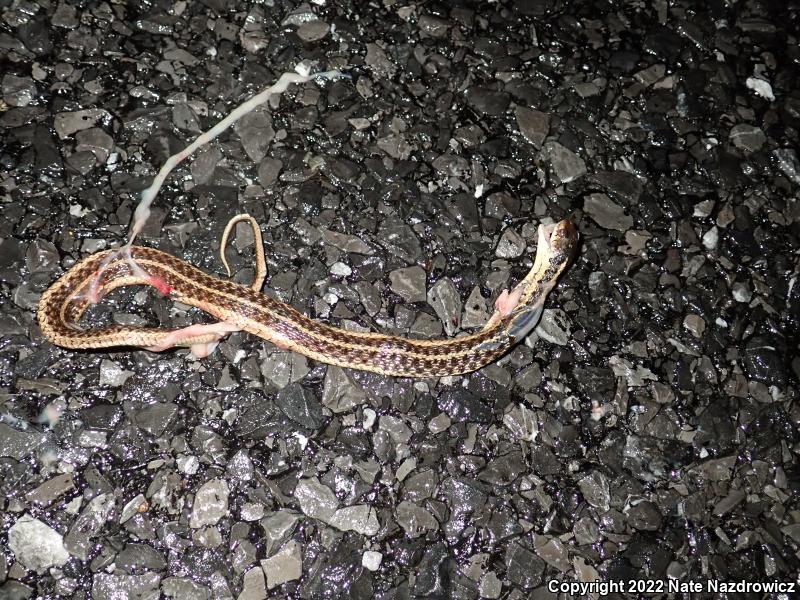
(238, 307)
